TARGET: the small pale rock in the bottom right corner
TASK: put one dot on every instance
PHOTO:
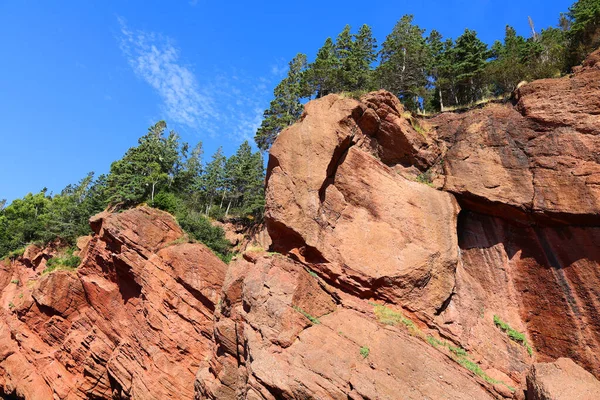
(561, 380)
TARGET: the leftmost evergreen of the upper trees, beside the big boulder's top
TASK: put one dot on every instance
(286, 108)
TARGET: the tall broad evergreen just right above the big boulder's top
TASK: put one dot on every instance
(404, 61)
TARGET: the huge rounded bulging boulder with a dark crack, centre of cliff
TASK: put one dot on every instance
(333, 204)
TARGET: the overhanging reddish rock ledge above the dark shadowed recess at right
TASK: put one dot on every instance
(524, 157)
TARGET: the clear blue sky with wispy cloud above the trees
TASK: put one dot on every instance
(80, 81)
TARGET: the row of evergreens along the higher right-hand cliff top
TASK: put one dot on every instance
(427, 72)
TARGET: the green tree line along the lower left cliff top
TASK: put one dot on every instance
(160, 171)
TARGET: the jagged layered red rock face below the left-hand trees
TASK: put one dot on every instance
(134, 321)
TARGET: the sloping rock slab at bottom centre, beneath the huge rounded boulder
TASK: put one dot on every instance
(268, 348)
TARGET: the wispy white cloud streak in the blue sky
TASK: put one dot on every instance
(226, 103)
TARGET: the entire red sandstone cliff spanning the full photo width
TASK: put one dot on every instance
(398, 245)
